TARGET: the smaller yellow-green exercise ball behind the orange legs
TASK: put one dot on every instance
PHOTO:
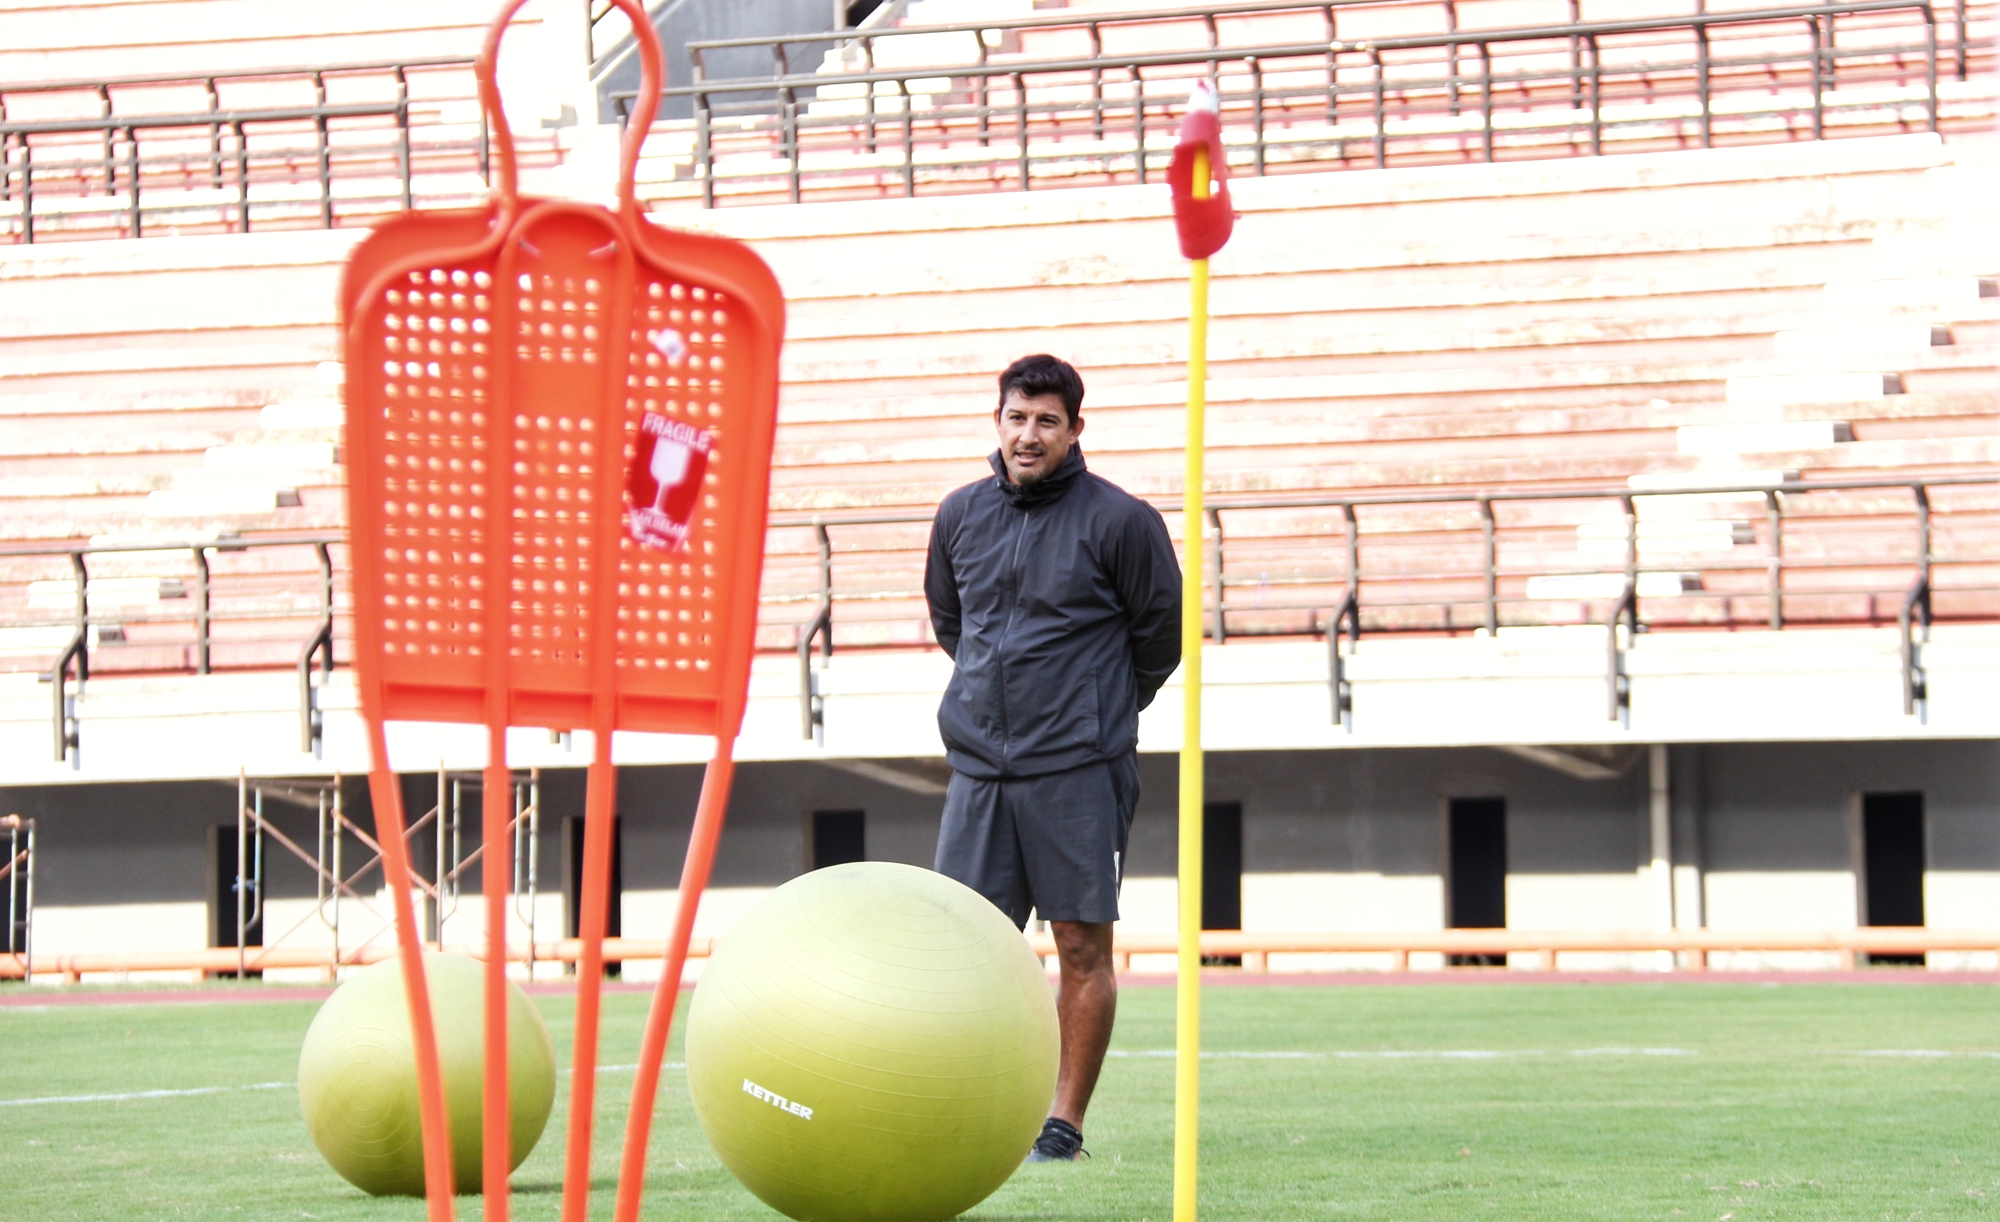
(357, 1075)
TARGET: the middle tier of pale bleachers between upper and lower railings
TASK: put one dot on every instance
(1415, 353)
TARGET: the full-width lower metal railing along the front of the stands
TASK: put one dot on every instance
(1885, 551)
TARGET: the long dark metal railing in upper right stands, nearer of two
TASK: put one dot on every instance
(1473, 95)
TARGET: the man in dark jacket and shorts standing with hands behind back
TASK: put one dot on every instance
(1059, 599)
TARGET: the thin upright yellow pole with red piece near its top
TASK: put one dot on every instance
(1189, 981)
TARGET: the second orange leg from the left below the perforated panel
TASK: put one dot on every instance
(497, 1153)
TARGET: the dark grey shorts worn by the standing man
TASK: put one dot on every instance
(1047, 843)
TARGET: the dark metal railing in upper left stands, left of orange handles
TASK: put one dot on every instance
(239, 151)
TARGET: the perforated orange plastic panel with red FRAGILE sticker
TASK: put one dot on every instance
(489, 357)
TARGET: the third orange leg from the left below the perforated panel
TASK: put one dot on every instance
(601, 799)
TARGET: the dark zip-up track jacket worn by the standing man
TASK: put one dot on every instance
(1061, 607)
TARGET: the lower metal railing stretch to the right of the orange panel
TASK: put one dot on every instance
(1449, 563)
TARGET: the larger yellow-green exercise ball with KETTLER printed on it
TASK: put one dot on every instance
(873, 1043)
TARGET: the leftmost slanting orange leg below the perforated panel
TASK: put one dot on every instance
(387, 793)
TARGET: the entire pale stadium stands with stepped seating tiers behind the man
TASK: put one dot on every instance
(1439, 387)
